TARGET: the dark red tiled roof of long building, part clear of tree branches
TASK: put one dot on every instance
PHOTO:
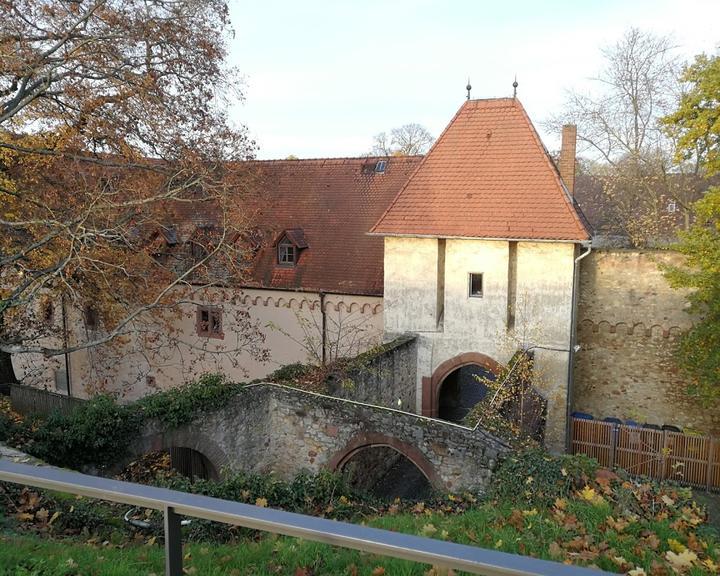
(334, 202)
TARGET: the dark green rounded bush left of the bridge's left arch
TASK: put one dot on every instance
(97, 433)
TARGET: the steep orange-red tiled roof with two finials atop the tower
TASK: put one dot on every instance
(487, 176)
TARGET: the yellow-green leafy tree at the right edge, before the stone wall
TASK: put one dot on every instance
(696, 126)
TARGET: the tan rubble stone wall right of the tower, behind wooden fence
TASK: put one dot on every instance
(629, 323)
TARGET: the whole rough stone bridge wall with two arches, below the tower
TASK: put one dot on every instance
(274, 428)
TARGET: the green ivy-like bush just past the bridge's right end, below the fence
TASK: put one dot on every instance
(536, 478)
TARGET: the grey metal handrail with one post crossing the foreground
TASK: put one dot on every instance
(175, 504)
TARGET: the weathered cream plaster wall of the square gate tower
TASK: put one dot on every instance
(544, 278)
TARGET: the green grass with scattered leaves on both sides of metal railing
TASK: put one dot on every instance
(500, 527)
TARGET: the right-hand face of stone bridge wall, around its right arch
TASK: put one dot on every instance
(315, 431)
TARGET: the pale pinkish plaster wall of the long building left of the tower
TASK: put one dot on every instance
(288, 323)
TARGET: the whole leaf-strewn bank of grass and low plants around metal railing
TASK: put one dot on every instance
(557, 508)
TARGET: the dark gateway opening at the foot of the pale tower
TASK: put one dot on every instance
(462, 389)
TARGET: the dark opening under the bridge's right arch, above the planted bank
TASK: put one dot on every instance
(385, 473)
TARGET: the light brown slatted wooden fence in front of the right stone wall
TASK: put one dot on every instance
(660, 454)
